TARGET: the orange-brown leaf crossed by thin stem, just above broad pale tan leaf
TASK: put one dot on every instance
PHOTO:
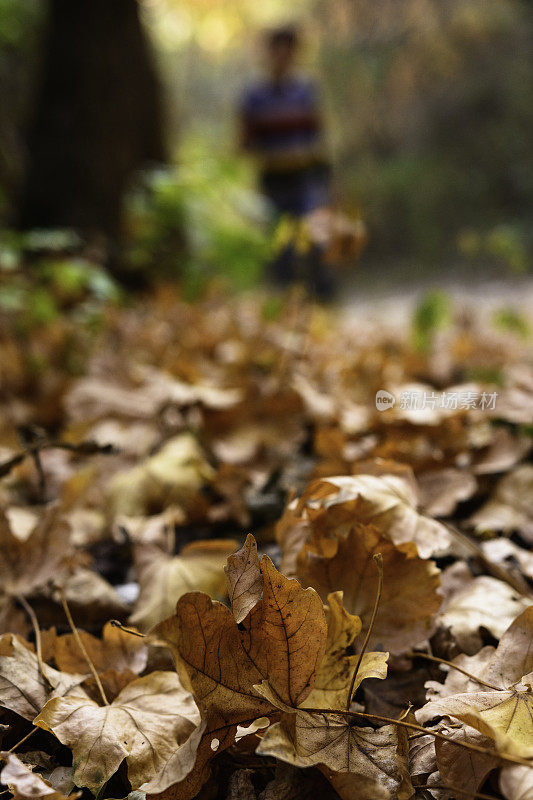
(116, 650)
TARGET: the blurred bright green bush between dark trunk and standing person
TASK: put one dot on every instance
(197, 221)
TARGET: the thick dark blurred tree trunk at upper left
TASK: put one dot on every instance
(97, 117)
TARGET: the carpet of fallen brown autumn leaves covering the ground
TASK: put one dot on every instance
(226, 574)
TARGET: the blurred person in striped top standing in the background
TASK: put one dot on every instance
(281, 127)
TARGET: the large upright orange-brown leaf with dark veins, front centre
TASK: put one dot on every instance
(221, 662)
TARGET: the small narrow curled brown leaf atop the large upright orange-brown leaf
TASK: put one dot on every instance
(244, 578)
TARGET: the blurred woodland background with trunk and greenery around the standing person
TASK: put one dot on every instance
(119, 145)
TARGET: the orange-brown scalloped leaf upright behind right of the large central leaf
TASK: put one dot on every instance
(409, 599)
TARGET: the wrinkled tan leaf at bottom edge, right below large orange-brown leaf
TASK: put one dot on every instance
(306, 739)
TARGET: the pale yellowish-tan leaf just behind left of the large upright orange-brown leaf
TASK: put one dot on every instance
(164, 578)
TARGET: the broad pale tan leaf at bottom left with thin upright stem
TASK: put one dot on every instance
(153, 723)
